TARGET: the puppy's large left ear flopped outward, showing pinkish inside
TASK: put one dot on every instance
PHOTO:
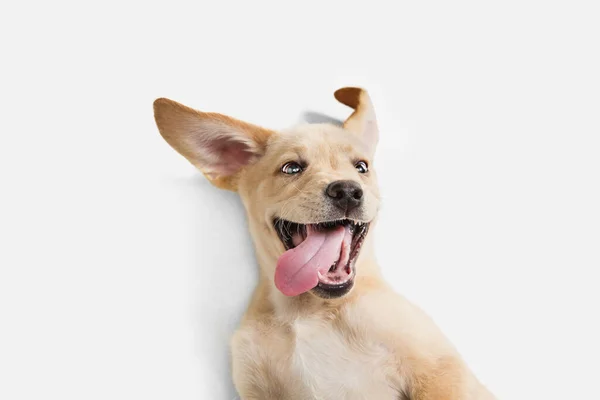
(218, 145)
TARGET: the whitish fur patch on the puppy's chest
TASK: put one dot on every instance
(337, 365)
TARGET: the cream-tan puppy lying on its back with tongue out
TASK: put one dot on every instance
(322, 323)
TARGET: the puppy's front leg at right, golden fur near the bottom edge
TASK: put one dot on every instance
(428, 366)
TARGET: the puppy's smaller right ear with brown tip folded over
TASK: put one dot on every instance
(362, 121)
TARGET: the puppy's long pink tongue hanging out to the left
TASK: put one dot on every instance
(297, 268)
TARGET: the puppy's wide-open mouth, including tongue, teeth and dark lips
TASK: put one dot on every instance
(318, 257)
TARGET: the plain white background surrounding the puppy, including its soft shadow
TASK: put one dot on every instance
(123, 272)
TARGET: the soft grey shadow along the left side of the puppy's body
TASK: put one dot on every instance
(222, 277)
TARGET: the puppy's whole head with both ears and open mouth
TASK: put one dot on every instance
(310, 193)
